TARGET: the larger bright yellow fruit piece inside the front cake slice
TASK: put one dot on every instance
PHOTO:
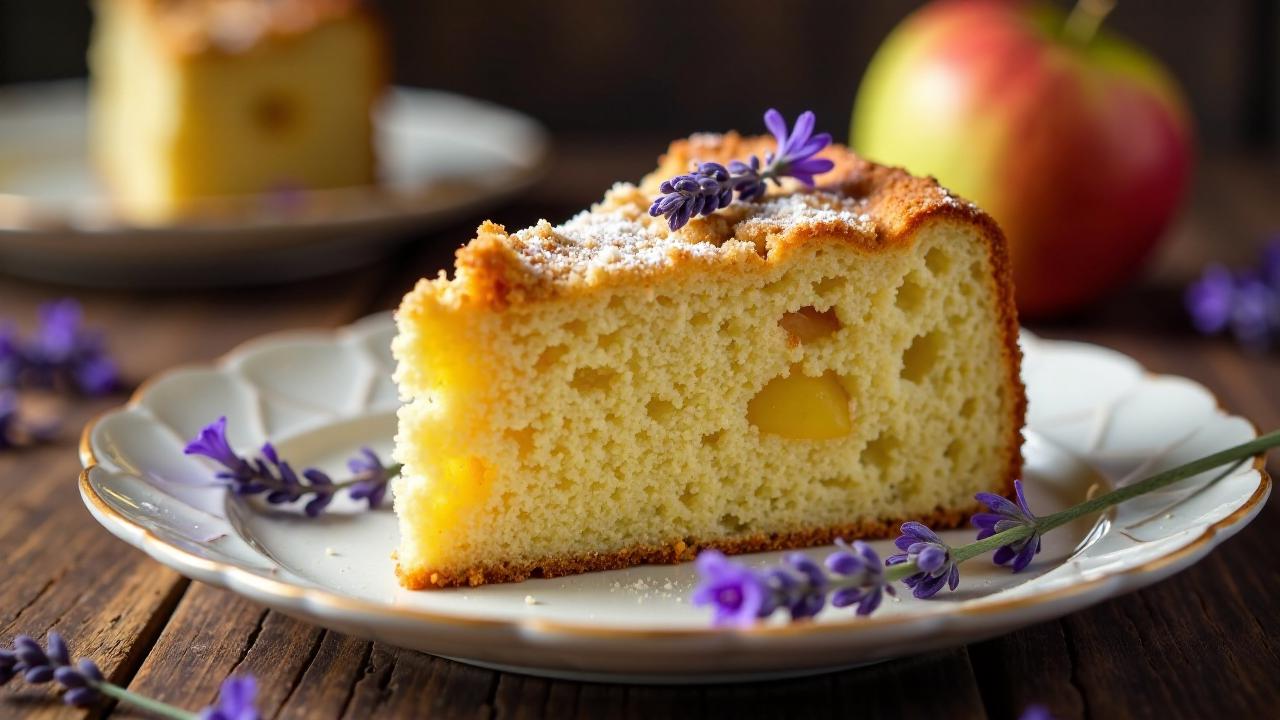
(801, 407)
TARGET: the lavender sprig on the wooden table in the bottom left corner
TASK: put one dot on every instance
(85, 685)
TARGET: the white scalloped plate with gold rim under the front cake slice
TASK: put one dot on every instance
(1096, 418)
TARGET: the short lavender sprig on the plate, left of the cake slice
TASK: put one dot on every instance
(277, 480)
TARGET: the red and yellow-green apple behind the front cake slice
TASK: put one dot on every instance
(1082, 153)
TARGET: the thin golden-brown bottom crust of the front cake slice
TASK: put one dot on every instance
(678, 552)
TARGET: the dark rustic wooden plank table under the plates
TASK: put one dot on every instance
(1203, 644)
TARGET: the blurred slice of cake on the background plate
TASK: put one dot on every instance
(196, 99)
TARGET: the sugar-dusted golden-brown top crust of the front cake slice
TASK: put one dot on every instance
(861, 203)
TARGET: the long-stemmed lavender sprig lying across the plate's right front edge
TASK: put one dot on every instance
(740, 595)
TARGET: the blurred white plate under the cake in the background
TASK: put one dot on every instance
(440, 156)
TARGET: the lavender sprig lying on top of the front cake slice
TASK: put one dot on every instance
(711, 186)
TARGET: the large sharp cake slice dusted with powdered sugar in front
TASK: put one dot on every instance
(816, 364)
